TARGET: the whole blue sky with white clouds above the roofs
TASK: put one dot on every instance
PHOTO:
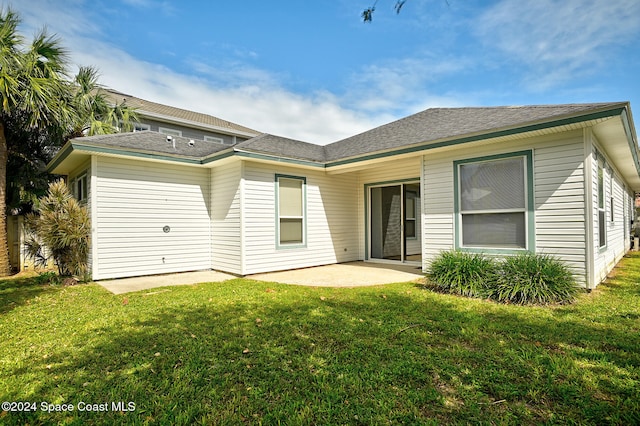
(314, 71)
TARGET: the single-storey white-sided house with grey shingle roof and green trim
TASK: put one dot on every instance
(556, 179)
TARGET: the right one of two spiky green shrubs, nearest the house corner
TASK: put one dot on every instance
(529, 278)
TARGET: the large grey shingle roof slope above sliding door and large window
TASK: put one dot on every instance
(444, 123)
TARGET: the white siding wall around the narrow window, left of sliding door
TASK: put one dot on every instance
(331, 222)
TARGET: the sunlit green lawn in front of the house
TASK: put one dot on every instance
(246, 352)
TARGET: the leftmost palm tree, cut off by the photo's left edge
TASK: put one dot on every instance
(34, 91)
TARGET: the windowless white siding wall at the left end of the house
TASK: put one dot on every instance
(135, 201)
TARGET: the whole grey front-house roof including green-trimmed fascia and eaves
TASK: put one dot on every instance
(432, 128)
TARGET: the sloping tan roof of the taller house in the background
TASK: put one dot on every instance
(178, 115)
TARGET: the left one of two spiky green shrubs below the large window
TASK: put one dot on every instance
(467, 274)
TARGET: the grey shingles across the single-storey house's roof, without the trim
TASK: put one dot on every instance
(421, 129)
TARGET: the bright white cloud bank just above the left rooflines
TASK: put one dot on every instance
(264, 106)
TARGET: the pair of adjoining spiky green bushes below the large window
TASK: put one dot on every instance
(524, 278)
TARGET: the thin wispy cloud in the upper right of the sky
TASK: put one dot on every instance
(558, 39)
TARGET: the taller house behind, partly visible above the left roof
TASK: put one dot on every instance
(181, 122)
